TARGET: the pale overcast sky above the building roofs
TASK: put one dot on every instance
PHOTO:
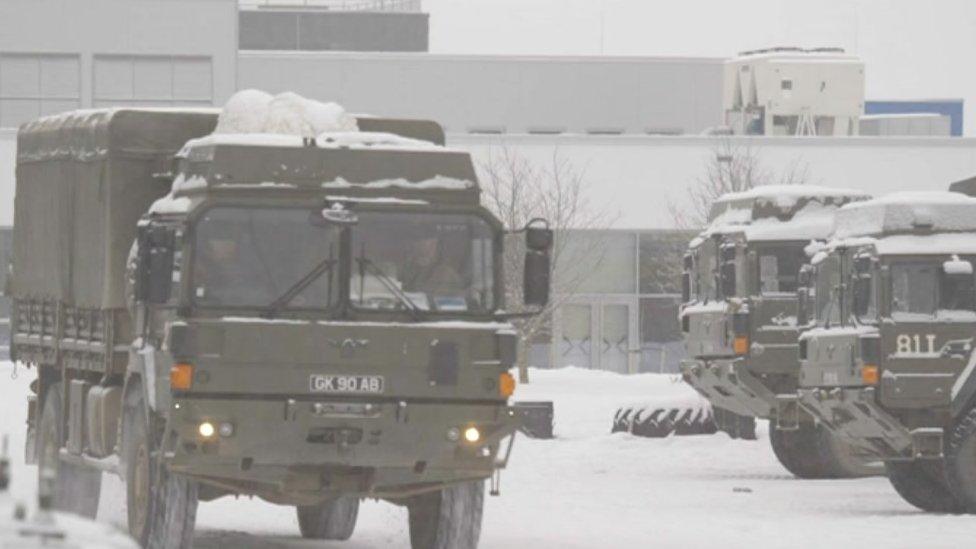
(912, 48)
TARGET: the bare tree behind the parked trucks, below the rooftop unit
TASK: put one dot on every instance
(730, 168)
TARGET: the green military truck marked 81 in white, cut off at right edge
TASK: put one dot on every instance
(890, 365)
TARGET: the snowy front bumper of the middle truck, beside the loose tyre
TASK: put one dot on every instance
(728, 384)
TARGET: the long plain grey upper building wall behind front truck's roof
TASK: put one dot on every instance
(505, 94)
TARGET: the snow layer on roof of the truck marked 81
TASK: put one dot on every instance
(898, 212)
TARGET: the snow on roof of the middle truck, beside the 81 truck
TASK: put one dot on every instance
(778, 212)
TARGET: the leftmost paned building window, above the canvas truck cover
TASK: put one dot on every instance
(34, 85)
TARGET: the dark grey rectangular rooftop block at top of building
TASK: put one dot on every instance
(316, 30)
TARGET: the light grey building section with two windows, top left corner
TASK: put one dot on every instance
(58, 55)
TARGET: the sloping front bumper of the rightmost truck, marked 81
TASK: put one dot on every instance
(854, 414)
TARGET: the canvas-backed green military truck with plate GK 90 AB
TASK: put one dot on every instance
(308, 320)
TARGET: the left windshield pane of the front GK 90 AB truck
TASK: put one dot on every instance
(248, 257)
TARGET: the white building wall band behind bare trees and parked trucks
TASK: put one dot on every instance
(638, 177)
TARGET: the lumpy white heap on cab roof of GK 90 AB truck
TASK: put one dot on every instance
(255, 111)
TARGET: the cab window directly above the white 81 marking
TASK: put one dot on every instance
(921, 291)
